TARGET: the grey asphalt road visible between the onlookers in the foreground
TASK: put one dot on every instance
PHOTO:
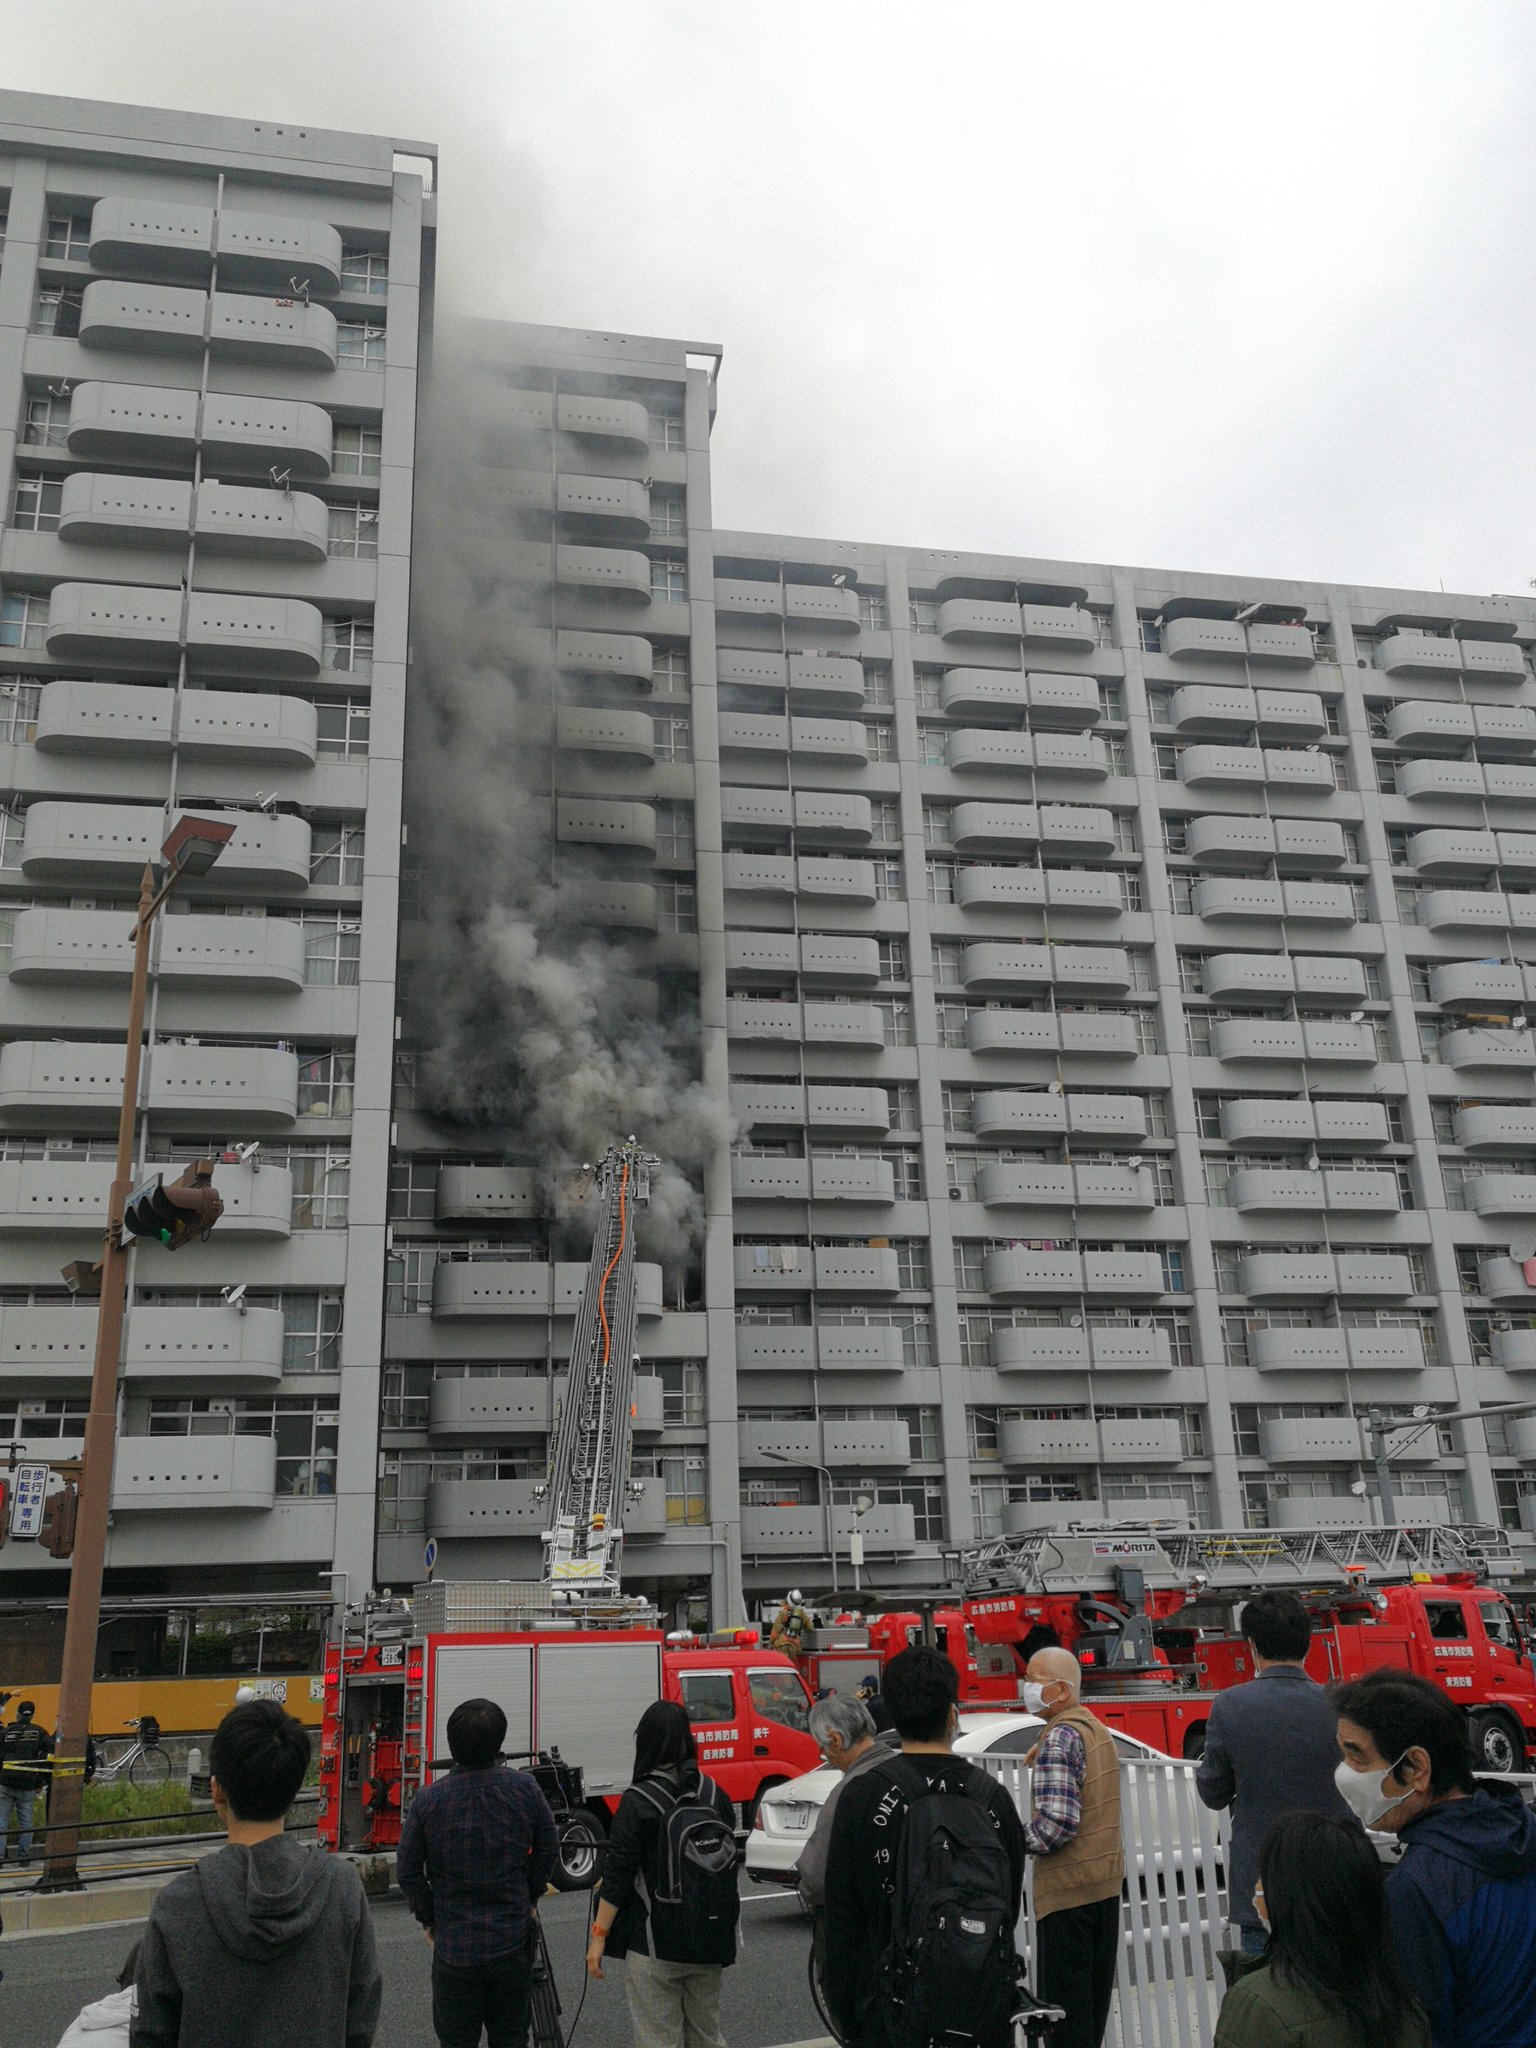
(50, 1977)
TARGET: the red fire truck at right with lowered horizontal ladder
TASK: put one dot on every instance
(1152, 1621)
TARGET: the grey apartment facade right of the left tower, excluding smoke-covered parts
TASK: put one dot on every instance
(1121, 982)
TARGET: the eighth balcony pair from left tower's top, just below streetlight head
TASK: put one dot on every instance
(212, 953)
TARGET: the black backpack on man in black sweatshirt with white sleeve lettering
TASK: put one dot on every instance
(949, 1973)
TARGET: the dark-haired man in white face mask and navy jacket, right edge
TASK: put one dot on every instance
(1463, 1897)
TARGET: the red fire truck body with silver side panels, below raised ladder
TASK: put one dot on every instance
(572, 1697)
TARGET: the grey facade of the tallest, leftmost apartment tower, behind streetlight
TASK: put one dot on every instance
(210, 341)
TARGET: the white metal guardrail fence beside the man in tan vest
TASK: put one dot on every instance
(1170, 1986)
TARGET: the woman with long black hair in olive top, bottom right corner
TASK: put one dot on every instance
(1328, 1977)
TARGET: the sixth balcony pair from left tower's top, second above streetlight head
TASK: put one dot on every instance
(114, 718)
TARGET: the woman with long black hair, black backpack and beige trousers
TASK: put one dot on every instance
(669, 1895)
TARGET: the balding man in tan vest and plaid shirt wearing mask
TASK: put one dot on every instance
(1074, 1832)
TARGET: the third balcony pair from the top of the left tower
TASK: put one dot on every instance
(146, 425)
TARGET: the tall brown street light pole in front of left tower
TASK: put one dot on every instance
(191, 849)
